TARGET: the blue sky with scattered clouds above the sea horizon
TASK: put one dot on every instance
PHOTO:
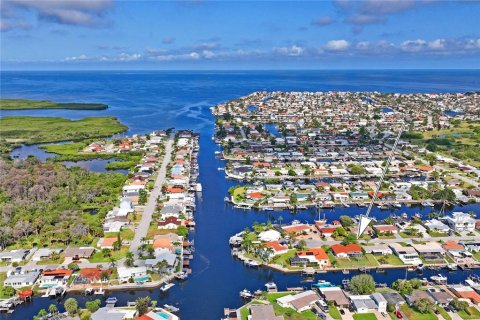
(226, 35)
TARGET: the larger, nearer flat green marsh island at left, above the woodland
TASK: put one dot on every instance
(31, 130)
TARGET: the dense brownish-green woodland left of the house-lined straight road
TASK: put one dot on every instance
(44, 203)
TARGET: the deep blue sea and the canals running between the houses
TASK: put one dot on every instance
(151, 100)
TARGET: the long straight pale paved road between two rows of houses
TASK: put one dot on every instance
(142, 228)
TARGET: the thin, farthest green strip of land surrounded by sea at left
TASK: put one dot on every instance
(24, 104)
